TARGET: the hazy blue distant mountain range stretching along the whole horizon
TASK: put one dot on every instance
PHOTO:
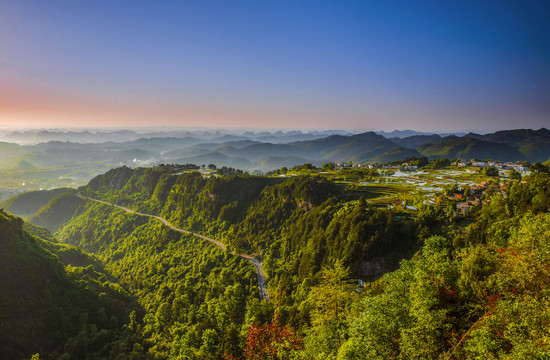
(251, 151)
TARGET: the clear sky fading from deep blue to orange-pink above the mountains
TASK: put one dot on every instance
(363, 65)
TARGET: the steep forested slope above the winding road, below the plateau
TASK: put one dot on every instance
(249, 211)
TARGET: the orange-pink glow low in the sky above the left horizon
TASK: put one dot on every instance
(32, 107)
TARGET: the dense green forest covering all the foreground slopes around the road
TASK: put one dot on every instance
(437, 286)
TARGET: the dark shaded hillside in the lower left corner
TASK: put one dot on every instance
(45, 307)
